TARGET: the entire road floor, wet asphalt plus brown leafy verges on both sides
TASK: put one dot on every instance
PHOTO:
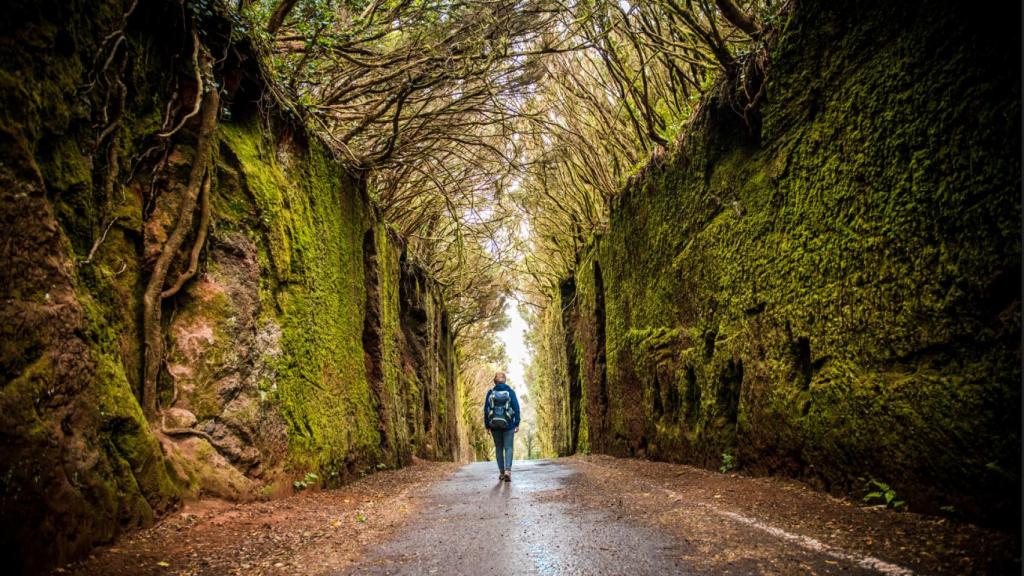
(584, 515)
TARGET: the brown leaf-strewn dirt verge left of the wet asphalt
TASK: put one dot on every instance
(311, 533)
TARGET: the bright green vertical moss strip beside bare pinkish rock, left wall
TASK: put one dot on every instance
(314, 222)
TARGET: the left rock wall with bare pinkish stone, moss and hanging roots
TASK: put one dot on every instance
(306, 343)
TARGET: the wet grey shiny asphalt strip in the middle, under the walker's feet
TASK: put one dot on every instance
(473, 524)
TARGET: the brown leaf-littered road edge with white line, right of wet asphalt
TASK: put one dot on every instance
(765, 525)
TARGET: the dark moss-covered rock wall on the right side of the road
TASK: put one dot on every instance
(831, 294)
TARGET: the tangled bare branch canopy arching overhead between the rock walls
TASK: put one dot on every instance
(495, 134)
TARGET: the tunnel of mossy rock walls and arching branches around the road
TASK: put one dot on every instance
(251, 237)
